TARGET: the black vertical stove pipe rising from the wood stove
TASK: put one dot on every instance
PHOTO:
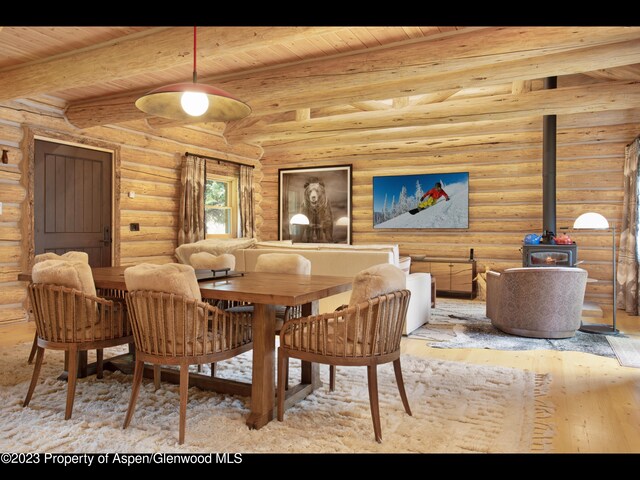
(549, 167)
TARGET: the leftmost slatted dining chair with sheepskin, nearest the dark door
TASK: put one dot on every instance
(69, 316)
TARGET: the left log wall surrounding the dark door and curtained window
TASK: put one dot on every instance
(150, 167)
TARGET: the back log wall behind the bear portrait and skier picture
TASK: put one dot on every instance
(505, 183)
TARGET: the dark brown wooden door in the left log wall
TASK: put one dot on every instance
(72, 201)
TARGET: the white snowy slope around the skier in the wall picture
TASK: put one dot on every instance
(451, 214)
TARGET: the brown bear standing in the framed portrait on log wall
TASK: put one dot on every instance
(317, 208)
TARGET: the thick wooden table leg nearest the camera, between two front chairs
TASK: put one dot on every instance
(263, 376)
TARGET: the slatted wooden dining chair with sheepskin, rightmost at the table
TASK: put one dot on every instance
(367, 333)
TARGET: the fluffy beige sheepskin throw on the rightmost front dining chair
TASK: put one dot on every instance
(375, 281)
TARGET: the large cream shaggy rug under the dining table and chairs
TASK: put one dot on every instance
(457, 407)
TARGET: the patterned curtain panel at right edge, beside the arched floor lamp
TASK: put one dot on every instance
(627, 276)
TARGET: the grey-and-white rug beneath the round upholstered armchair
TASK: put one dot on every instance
(457, 323)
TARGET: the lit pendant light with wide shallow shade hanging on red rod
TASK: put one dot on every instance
(193, 101)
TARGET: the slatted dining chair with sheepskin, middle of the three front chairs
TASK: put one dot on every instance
(173, 326)
